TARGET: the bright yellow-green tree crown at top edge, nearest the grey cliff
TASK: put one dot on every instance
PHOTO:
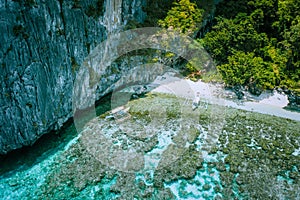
(184, 17)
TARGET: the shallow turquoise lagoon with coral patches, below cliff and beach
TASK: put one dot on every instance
(168, 151)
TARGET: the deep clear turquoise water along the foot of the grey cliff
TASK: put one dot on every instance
(23, 171)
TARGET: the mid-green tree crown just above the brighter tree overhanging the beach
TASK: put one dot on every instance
(230, 35)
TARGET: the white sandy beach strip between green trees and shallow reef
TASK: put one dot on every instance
(266, 103)
